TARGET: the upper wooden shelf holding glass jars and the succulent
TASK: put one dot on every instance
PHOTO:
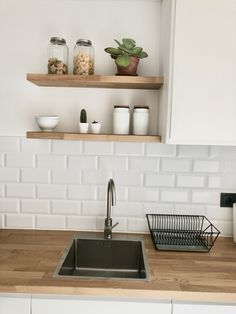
(101, 81)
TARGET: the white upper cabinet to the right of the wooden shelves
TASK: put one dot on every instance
(198, 100)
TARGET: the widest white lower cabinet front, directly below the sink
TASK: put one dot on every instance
(73, 305)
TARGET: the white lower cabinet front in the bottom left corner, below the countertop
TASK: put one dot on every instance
(14, 304)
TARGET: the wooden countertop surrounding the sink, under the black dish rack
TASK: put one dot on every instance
(28, 259)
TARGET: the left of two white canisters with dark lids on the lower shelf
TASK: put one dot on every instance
(121, 119)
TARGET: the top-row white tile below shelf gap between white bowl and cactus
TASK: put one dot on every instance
(66, 147)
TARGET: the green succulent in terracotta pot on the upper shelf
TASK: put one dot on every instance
(127, 56)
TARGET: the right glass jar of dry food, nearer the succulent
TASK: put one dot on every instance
(83, 57)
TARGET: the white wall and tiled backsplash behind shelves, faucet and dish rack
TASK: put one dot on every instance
(62, 185)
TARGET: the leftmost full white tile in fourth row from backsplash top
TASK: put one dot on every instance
(20, 190)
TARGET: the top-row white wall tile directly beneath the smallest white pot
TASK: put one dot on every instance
(97, 148)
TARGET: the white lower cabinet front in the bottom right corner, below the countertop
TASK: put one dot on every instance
(203, 309)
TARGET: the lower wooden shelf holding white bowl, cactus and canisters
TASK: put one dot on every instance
(92, 137)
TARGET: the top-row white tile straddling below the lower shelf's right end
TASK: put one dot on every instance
(161, 150)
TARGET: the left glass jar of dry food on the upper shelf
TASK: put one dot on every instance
(58, 56)
